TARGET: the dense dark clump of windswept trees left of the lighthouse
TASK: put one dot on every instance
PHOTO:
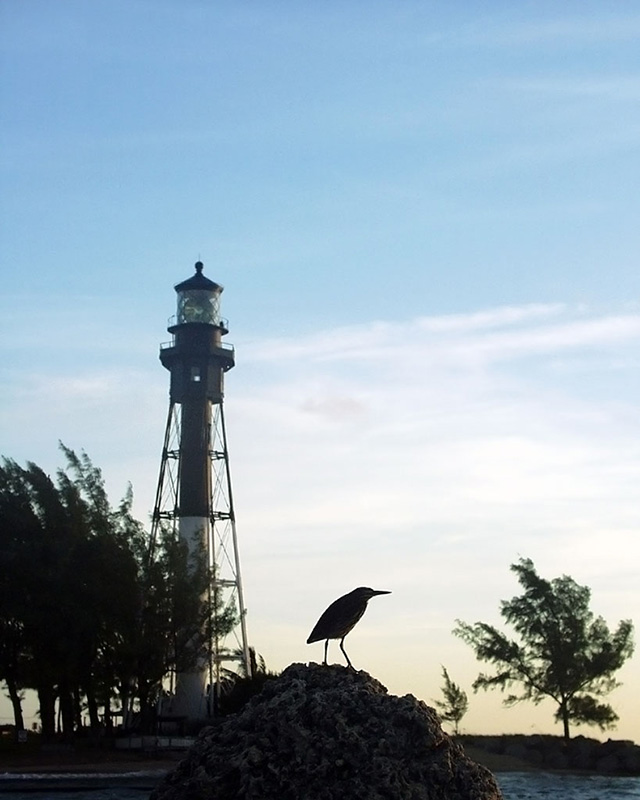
(86, 616)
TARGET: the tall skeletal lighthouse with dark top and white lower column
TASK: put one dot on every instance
(194, 497)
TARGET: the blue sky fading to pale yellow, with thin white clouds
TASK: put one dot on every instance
(425, 218)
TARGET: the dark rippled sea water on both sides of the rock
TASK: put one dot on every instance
(514, 786)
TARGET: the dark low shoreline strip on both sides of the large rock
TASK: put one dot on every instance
(503, 753)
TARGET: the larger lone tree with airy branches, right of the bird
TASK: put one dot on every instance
(563, 651)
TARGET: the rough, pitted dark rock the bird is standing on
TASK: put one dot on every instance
(323, 733)
